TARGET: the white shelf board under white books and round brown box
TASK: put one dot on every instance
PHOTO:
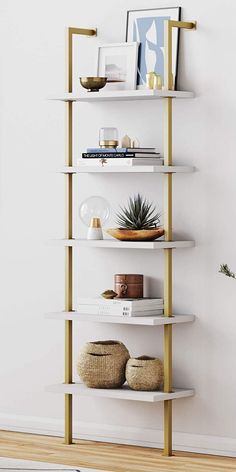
(135, 320)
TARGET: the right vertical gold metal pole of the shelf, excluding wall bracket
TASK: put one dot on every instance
(168, 237)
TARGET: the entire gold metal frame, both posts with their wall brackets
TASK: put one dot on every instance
(169, 24)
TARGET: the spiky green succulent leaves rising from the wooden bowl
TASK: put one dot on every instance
(138, 214)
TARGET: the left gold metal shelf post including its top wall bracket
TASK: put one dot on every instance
(69, 230)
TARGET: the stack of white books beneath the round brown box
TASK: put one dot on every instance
(121, 306)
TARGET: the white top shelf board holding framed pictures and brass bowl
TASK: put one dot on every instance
(116, 95)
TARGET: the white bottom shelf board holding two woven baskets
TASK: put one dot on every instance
(124, 393)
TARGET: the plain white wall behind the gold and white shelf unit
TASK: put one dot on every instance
(32, 36)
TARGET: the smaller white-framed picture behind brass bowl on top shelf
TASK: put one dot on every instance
(119, 62)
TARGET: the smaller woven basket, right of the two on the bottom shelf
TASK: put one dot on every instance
(144, 373)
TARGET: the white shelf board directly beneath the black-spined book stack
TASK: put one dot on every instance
(127, 169)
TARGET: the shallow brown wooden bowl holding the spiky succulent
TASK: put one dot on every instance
(135, 235)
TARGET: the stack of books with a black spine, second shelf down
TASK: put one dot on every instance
(121, 156)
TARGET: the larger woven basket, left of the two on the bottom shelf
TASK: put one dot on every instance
(101, 364)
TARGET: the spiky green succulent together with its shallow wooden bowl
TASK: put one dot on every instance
(138, 221)
